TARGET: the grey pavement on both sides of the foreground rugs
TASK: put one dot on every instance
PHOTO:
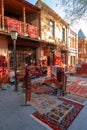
(15, 116)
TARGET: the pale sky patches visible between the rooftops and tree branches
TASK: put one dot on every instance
(52, 3)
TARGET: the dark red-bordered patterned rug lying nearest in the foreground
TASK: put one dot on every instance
(61, 116)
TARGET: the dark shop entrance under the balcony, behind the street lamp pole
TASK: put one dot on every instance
(24, 54)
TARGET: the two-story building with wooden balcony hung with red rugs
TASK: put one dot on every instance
(23, 17)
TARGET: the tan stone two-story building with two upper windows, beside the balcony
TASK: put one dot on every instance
(53, 36)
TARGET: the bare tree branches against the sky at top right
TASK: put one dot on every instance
(74, 9)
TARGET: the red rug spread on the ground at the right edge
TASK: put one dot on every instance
(78, 88)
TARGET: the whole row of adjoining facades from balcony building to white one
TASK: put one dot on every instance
(43, 36)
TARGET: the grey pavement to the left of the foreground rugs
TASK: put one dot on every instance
(13, 116)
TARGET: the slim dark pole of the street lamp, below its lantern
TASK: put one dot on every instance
(15, 66)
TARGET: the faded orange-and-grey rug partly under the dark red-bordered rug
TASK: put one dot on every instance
(43, 103)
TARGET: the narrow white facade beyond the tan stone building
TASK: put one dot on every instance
(72, 47)
